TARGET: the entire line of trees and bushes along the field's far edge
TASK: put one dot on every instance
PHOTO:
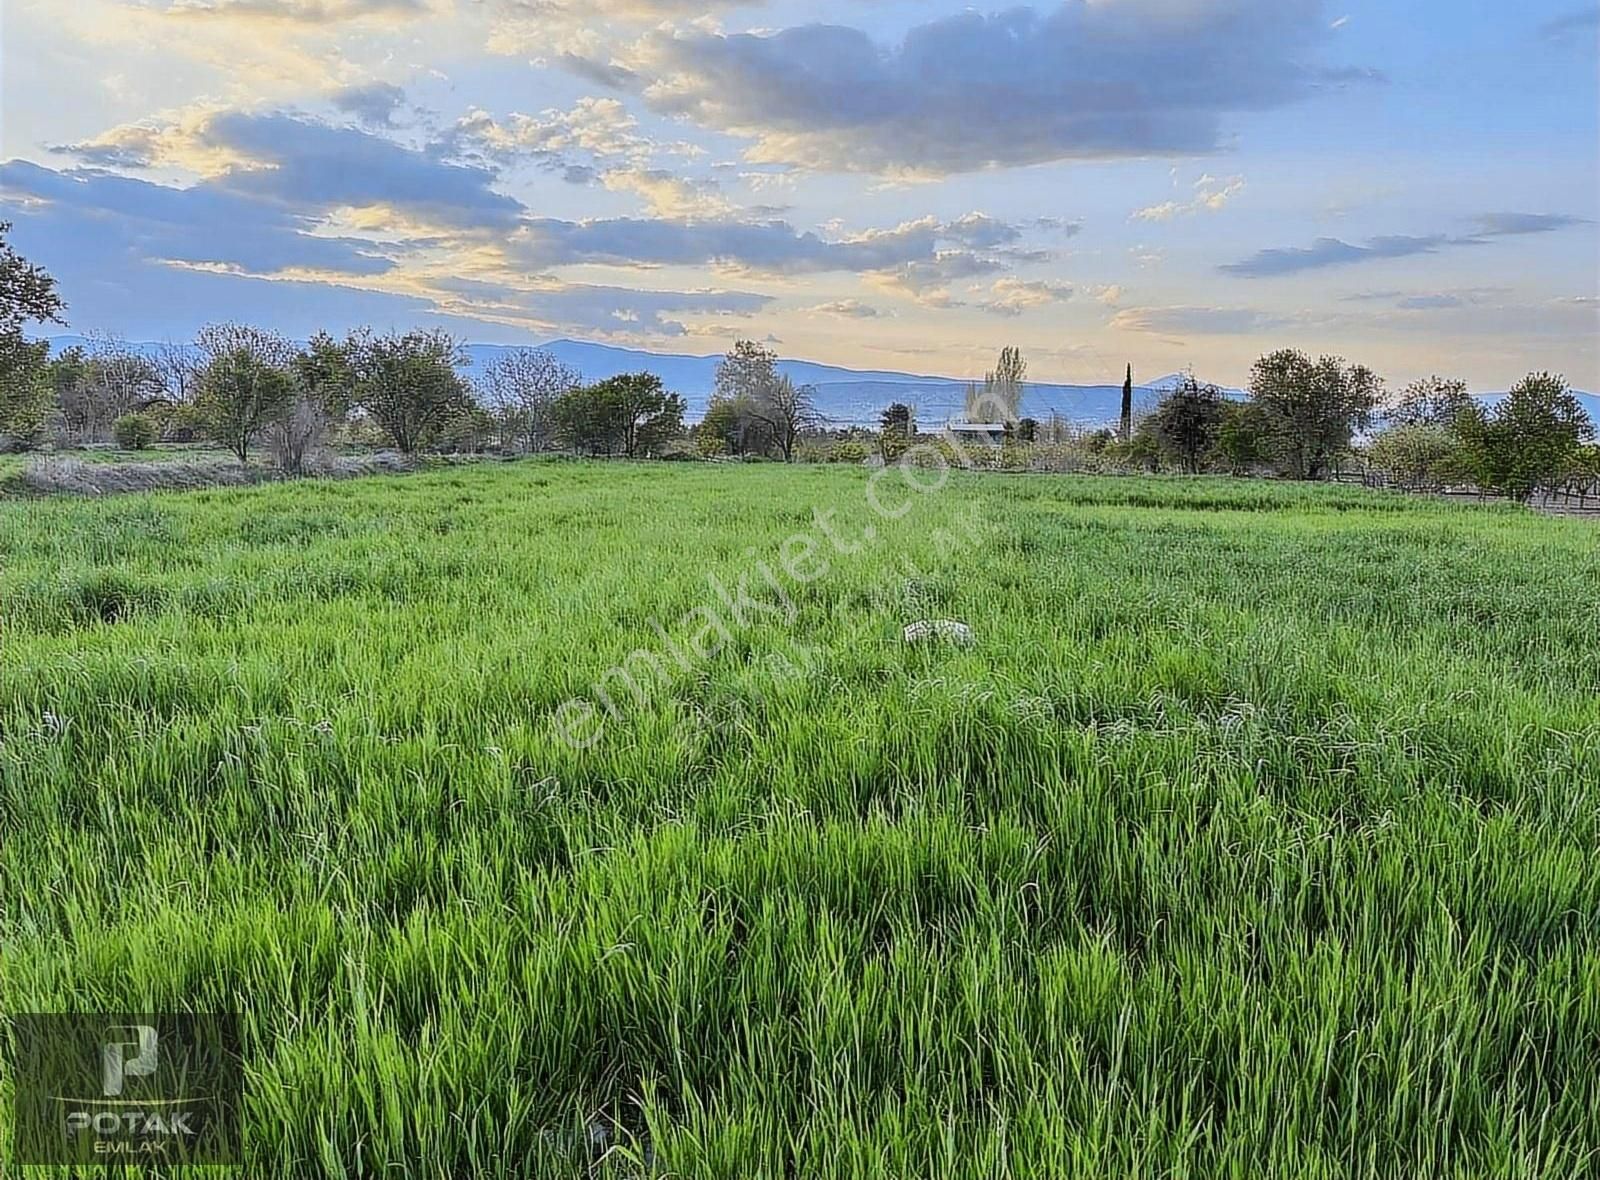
(249, 389)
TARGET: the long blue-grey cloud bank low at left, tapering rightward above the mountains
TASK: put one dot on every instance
(132, 250)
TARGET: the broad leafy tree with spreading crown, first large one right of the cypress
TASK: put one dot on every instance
(1311, 410)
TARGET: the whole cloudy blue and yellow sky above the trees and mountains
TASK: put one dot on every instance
(884, 185)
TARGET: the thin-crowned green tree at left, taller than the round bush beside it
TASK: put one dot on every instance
(247, 381)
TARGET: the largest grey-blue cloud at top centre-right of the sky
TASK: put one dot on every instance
(972, 92)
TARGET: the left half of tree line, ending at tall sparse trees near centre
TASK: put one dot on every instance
(247, 389)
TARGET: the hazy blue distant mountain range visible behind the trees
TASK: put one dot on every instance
(847, 397)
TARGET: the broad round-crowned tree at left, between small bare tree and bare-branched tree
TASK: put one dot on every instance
(407, 383)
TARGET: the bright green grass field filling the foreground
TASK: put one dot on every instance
(1255, 834)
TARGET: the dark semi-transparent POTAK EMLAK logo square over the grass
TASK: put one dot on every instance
(130, 1090)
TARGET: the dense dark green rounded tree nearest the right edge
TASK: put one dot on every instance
(1530, 439)
